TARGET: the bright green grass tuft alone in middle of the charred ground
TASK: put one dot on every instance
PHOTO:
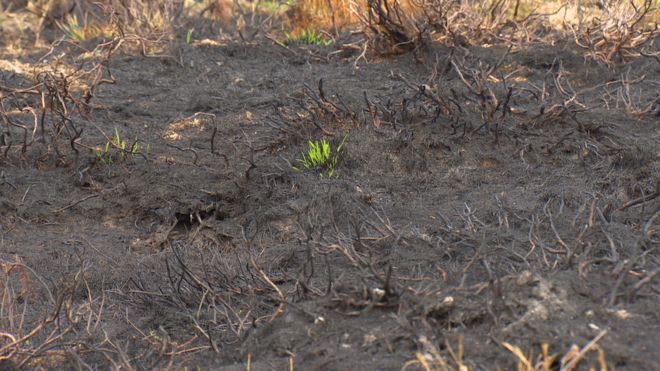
(321, 156)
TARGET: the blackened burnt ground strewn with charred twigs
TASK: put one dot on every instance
(444, 226)
